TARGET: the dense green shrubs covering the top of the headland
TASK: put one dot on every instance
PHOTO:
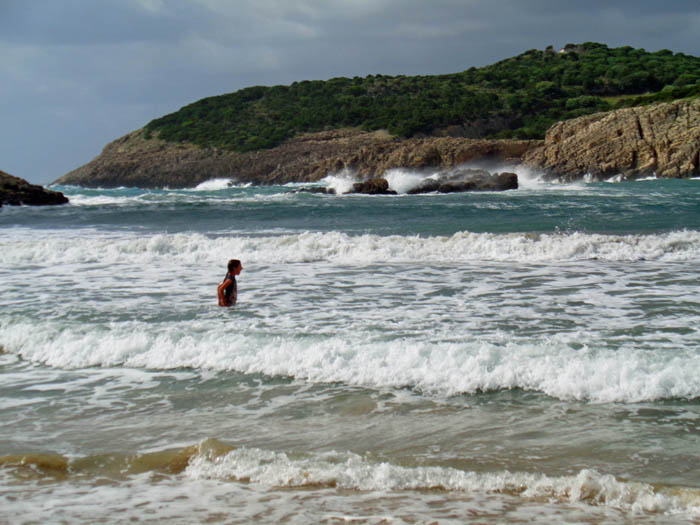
(520, 97)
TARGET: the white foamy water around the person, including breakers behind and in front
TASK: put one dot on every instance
(462, 322)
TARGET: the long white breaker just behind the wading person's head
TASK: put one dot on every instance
(461, 247)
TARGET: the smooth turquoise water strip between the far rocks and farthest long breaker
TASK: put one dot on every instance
(641, 207)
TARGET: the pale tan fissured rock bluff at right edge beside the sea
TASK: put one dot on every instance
(661, 140)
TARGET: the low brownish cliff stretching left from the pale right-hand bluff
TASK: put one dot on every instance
(134, 160)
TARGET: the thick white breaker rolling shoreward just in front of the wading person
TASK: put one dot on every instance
(550, 365)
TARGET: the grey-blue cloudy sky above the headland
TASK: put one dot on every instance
(77, 74)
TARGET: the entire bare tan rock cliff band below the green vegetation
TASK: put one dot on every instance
(663, 139)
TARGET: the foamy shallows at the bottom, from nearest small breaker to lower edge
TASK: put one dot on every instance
(251, 484)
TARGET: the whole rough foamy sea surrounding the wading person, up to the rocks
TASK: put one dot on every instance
(522, 356)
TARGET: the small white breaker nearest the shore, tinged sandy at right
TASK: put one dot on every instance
(350, 471)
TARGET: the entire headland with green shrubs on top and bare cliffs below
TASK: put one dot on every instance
(586, 110)
